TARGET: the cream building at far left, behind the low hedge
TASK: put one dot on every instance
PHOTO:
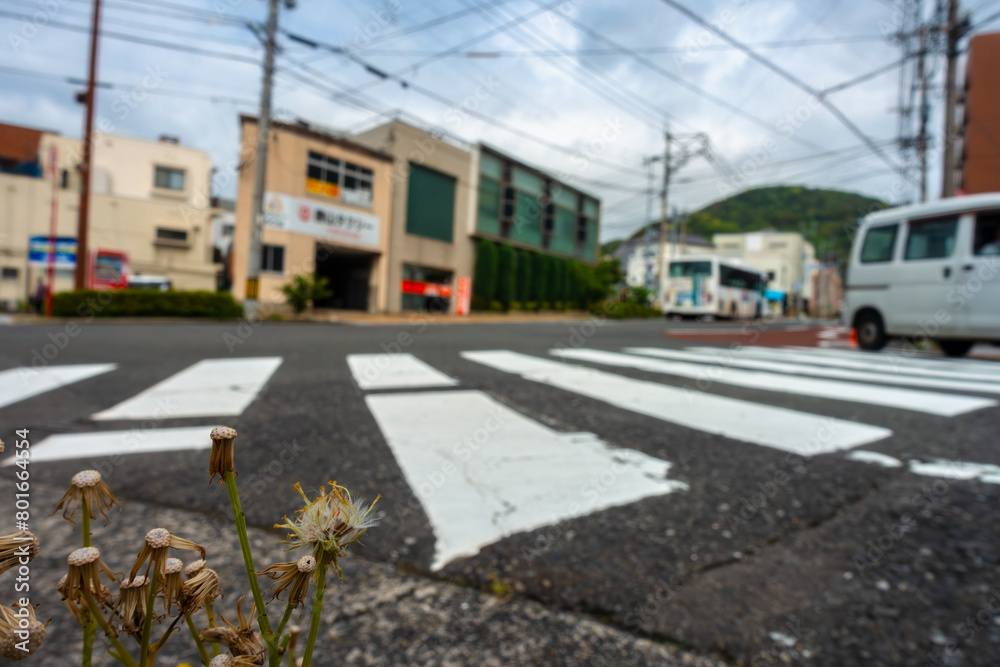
(149, 200)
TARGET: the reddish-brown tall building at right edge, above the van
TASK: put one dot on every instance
(979, 142)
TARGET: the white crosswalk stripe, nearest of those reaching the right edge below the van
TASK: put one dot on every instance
(947, 405)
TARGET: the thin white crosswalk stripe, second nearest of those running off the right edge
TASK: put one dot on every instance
(742, 359)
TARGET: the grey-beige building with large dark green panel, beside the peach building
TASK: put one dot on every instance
(430, 246)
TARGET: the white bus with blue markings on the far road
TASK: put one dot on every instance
(723, 287)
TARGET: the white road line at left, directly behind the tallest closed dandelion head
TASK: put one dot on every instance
(116, 443)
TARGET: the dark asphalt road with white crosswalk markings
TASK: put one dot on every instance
(692, 485)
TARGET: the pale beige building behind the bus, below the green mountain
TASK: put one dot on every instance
(786, 255)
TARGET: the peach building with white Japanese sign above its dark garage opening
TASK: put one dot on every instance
(327, 208)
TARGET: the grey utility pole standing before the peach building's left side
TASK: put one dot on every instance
(260, 173)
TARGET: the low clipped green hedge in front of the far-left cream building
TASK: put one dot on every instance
(145, 303)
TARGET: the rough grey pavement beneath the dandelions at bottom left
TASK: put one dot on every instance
(378, 616)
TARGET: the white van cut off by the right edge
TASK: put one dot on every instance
(927, 271)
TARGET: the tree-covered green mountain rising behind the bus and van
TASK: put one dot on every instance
(824, 217)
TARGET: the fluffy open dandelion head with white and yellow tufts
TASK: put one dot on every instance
(330, 523)
